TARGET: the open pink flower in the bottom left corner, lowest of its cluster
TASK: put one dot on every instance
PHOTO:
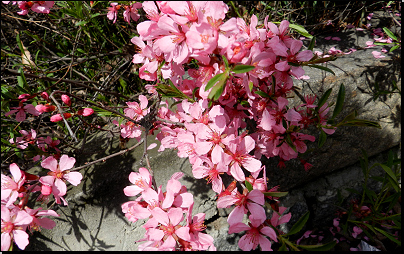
(13, 226)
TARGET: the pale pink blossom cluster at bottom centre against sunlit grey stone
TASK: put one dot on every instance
(166, 228)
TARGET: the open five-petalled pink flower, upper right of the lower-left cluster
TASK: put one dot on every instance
(59, 173)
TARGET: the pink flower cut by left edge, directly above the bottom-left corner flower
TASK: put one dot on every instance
(10, 187)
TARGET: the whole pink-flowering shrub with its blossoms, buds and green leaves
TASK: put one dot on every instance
(232, 110)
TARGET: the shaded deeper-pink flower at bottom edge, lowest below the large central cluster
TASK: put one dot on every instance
(256, 234)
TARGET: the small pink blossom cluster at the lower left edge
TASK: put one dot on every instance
(16, 216)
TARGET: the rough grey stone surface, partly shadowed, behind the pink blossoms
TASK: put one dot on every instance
(94, 219)
